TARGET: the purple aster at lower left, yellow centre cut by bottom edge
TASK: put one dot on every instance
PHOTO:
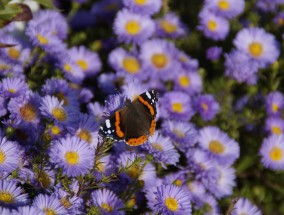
(49, 204)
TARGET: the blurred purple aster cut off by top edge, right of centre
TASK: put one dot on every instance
(226, 8)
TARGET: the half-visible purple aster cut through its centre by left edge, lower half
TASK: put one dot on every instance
(9, 155)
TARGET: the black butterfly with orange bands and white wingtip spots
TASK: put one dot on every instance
(135, 122)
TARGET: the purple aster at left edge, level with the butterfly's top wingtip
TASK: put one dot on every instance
(13, 87)
